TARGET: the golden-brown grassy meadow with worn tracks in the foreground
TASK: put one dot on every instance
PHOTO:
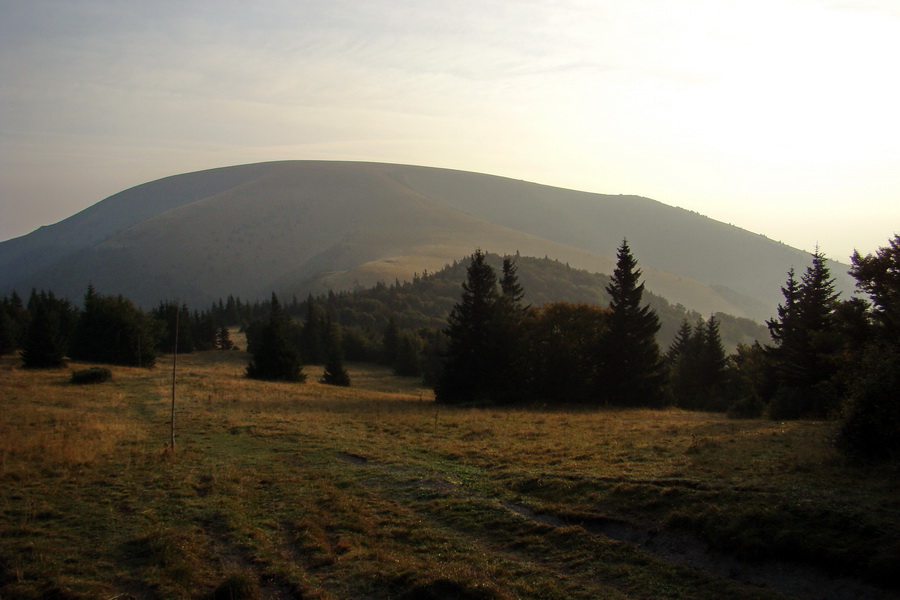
(370, 492)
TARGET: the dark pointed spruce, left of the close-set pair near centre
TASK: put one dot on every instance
(470, 366)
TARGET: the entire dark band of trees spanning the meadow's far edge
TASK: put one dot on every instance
(828, 357)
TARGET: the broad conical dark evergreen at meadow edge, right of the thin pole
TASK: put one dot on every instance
(274, 356)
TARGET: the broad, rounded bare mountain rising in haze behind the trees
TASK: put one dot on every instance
(307, 226)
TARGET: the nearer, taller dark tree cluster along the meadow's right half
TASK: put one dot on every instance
(829, 358)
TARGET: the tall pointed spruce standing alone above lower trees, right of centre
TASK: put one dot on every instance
(630, 363)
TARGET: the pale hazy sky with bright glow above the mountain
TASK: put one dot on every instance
(780, 116)
